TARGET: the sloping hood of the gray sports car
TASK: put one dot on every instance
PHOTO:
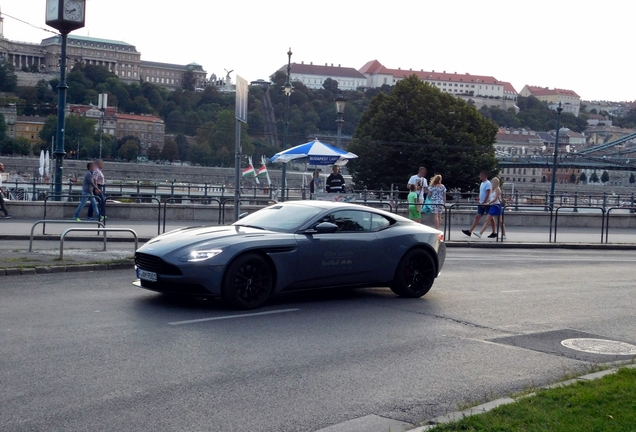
(191, 236)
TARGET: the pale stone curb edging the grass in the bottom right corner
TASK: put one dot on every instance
(483, 408)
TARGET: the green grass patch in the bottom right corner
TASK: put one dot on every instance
(606, 404)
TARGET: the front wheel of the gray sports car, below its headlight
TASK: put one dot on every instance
(248, 282)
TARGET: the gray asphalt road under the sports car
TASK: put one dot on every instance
(90, 352)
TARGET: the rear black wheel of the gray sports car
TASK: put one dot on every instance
(415, 274)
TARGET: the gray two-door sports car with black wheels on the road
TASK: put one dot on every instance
(293, 246)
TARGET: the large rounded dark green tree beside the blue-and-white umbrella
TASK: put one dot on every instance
(416, 124)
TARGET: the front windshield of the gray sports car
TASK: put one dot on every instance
(286, 218)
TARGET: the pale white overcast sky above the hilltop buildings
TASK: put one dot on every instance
(581, 46)
